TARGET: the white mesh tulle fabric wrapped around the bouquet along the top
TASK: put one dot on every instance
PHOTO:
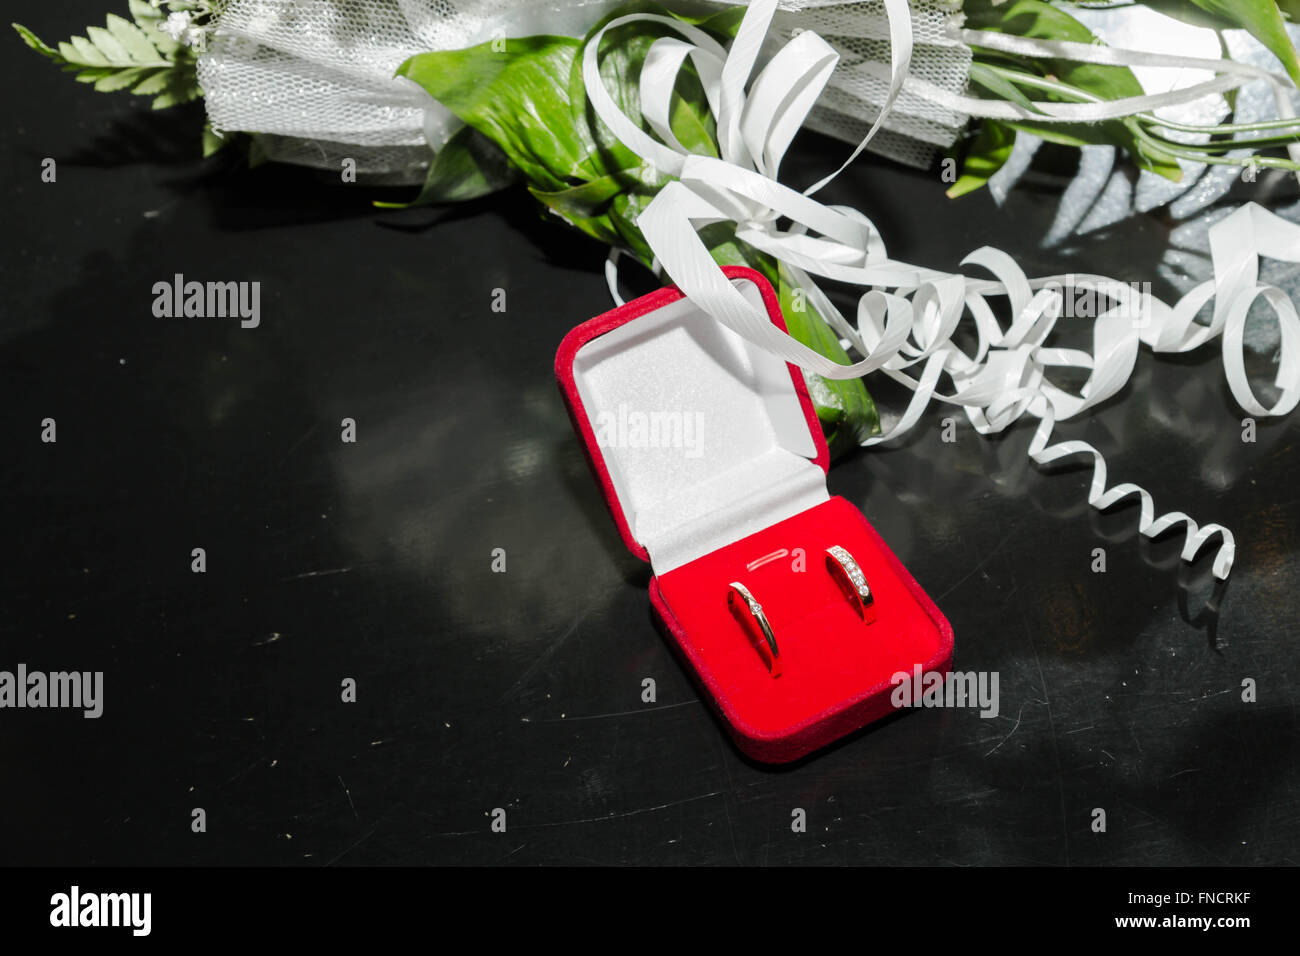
(314, 79)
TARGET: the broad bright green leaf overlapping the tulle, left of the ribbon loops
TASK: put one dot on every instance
(515, 96)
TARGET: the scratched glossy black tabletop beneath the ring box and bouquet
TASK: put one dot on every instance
(523, 691)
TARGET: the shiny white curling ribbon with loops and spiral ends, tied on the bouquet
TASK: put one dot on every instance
(908, 334)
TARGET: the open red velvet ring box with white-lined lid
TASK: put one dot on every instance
(713, 465)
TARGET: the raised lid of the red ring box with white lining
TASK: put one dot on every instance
(699, 438)
